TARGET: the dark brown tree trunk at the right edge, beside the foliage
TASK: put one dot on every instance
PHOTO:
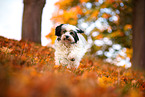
(139, 34)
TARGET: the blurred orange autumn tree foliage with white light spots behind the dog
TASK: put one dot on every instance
(106, 23)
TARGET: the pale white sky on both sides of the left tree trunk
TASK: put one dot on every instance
(11, 12)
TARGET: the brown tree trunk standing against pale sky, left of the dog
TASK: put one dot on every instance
(31, 24)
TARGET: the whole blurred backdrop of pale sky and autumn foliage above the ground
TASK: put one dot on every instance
(107, 24)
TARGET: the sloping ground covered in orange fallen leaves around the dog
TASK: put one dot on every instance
(27, 70)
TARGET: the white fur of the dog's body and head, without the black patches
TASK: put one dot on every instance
(70, 54)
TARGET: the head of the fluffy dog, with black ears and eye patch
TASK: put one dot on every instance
(67, 33)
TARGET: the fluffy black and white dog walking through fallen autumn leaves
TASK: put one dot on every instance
(70, 46)
